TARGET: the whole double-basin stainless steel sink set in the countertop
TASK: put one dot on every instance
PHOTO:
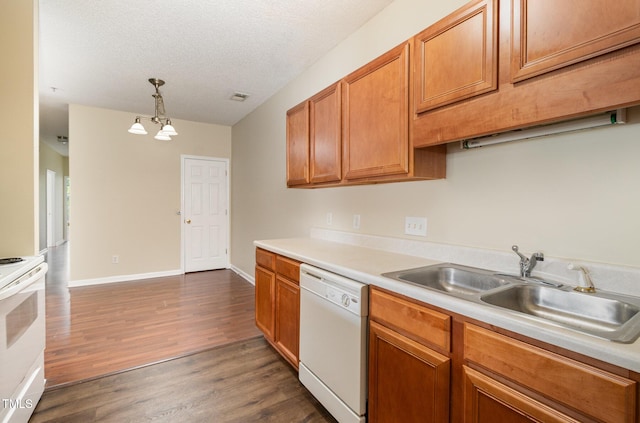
(614, 317)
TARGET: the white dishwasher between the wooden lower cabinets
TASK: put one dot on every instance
(333, 342)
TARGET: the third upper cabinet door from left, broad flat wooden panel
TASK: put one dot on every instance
(375, 122)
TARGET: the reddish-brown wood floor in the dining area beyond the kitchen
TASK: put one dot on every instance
(100, 329)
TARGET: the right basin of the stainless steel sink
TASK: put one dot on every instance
(604, 316)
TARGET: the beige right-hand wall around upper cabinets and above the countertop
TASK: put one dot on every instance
(572, 196)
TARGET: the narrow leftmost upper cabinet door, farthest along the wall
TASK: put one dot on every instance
(298, 145)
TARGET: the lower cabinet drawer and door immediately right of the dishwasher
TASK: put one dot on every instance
(408, 380)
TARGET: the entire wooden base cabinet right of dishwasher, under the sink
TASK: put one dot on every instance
(483, 375)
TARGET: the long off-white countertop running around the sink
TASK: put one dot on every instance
(366, 265)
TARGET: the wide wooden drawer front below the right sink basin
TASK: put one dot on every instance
(593, 391)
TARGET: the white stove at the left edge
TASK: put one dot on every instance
(22, 336)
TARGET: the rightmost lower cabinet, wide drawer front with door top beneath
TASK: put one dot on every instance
(518, 379)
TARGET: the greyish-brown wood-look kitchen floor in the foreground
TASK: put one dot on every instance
(246, 381)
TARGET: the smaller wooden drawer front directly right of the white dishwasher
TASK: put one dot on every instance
(411, 319)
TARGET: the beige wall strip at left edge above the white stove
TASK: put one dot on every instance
(19, 122)
